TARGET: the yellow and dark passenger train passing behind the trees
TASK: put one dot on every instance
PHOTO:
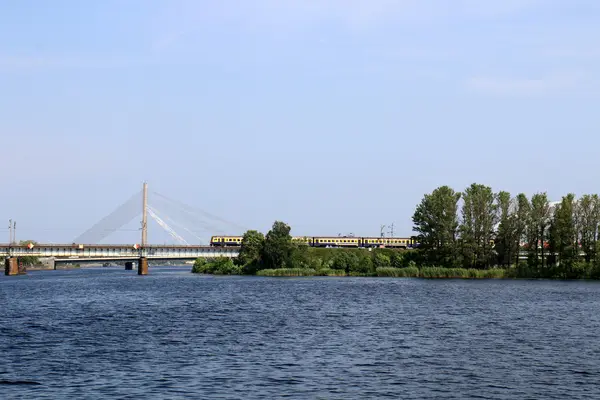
(331, 241)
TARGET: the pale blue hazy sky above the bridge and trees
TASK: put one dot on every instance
(335, 116)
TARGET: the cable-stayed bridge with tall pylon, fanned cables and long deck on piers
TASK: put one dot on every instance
(87, 247)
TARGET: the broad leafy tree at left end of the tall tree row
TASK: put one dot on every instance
(436, 223)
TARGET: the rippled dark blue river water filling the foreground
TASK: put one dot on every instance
(108, 333)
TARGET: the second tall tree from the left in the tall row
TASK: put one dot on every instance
(479, 215)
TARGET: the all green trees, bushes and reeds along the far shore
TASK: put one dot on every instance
(473, 234)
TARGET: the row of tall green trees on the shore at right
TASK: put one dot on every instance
(478, 228)
